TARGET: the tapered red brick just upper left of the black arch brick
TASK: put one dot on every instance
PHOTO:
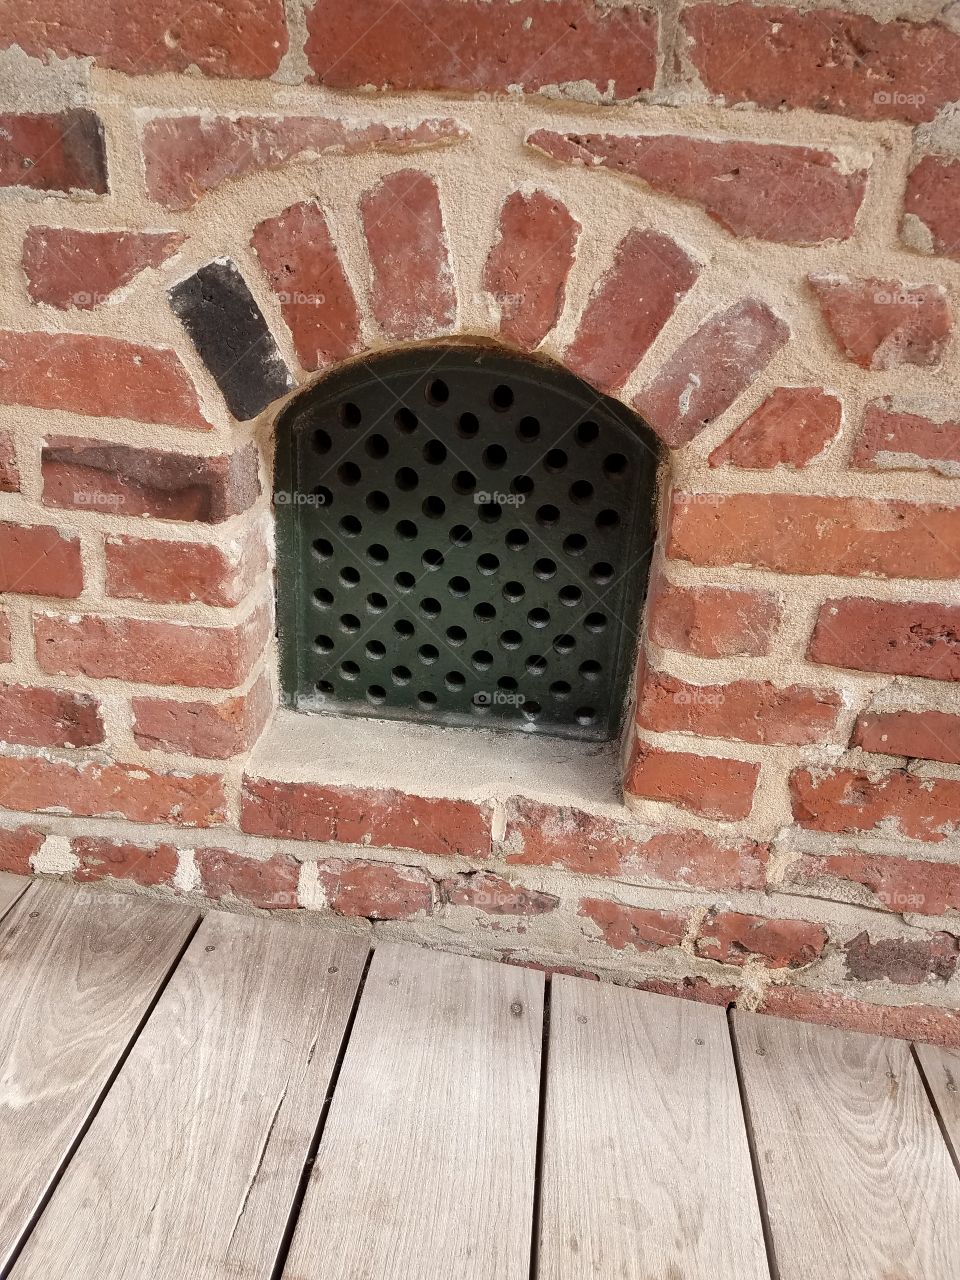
(68, 268)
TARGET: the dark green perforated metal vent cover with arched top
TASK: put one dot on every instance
(463, 540)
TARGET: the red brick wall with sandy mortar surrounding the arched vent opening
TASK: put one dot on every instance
(743, 221)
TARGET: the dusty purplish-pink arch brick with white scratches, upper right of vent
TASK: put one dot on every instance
(708, 372)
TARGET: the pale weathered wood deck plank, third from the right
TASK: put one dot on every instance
(646, 1167)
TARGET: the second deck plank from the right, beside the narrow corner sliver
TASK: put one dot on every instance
(857, 1178)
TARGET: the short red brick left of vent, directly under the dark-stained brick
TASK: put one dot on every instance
(154, 569)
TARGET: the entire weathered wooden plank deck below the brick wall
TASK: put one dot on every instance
(237, 1098)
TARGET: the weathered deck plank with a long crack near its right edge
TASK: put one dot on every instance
(193, 1164)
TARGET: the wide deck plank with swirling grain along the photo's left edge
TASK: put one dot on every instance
(79, 972)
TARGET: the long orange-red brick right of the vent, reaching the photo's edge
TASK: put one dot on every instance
(806, 534)
